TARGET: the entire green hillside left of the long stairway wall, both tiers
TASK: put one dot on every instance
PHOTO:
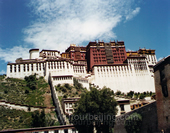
(30, 91)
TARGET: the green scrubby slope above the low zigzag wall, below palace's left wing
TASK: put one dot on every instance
(29, 91)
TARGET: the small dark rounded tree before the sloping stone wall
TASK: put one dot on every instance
(133, 123)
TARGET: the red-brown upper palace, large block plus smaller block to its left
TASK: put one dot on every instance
(98, 53)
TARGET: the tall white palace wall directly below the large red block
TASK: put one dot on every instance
(123, 78)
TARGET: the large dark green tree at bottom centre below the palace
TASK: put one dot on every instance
(92, 107)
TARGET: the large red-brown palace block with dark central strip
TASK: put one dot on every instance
(100, 53)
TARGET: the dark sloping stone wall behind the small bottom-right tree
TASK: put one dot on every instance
(149, 119)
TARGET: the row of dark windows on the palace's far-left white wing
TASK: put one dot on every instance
(26, 66)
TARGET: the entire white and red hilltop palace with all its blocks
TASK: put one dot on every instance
(99, 63)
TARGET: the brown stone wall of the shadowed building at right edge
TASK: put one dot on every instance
(163, 103)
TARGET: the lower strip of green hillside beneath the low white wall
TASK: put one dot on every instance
(16, 119)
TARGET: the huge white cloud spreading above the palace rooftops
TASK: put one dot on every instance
(61, 23)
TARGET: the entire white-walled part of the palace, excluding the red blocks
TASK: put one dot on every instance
(134, 75)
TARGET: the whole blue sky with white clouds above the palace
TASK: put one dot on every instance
(55, 24)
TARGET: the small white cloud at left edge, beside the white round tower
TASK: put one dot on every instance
(10, 55)
